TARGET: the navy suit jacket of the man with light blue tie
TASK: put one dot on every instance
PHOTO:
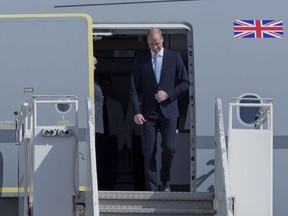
(174, 81)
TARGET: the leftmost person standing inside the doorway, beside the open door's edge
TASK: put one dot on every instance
(112, 139)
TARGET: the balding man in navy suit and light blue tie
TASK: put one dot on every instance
(159, 76)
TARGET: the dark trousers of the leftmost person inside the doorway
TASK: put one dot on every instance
(106, 159)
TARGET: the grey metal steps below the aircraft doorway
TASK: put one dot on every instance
(139, 203)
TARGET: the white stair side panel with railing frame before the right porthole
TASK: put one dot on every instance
(250, 150)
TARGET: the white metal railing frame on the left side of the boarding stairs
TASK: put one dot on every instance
(28, 120)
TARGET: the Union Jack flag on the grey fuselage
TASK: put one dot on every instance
(258, 29)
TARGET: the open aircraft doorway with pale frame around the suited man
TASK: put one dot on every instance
(115, 47)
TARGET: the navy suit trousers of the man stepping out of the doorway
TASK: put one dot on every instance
(167, 127)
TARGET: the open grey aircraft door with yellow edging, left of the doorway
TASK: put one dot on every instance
(40, 56)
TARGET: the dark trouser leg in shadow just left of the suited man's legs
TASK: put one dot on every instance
(138, 164)
